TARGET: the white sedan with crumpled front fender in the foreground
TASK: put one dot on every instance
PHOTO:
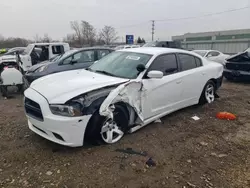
(120, 93)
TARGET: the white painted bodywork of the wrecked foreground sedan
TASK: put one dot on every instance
(150, 98)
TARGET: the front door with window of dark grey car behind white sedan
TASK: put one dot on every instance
(78, 60)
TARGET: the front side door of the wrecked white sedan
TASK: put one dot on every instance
(162, 95)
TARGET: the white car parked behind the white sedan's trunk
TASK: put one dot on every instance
(213, 55)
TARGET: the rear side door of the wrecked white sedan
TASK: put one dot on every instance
(194, 78)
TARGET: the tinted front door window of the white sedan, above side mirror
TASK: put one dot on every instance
(165, 63)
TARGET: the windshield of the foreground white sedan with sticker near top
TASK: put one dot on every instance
(121, 64)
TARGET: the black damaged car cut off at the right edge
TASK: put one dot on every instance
(237, 66)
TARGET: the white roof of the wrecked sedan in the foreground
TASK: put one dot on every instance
(155, 50)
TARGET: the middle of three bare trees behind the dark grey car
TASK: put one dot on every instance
(88, 33)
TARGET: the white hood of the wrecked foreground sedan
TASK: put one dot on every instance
(60, 87)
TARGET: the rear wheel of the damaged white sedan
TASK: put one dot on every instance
(208, 94)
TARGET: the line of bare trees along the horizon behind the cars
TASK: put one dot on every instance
(83, 34)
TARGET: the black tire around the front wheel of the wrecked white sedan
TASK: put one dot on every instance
(93, 131)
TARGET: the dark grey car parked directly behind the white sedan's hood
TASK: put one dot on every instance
(71, 60)
